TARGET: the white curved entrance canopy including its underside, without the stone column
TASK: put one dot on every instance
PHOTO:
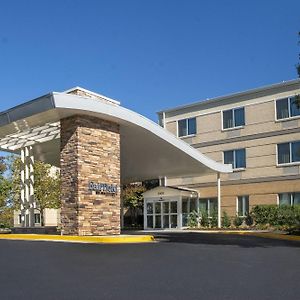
(147, 150)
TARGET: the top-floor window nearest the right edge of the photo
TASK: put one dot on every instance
(287, 108)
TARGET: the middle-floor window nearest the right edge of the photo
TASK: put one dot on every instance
(288, 153)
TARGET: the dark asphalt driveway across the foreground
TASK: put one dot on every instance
(178, 266)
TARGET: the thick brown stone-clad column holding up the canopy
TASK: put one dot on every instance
(90, 152)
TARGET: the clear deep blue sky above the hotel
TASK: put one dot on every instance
(149, 55)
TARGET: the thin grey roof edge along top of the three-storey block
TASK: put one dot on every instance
(237, 94)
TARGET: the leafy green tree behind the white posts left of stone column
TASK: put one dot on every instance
(46, 187)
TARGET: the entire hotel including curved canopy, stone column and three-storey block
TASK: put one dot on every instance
(225, 154)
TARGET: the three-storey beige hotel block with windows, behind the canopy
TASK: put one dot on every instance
(257, 132)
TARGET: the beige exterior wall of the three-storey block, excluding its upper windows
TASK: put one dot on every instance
(262, 179)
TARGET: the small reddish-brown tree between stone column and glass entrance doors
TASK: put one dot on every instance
(132, 196)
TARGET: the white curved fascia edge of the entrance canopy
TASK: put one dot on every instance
(63, 101)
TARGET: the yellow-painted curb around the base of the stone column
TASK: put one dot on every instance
(122, 239)
